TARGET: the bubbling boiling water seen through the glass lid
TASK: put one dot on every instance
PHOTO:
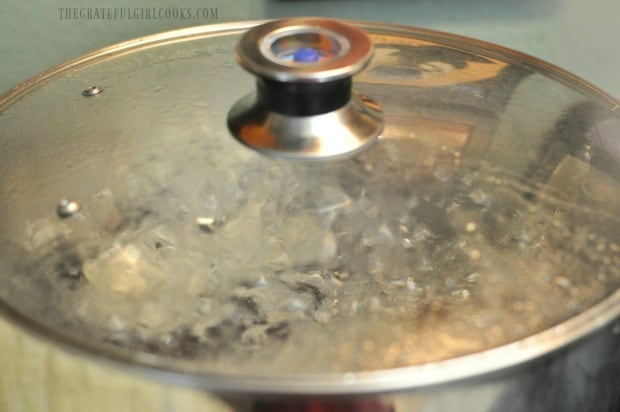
(273, 266)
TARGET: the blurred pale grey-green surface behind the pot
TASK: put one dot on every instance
(579, 36)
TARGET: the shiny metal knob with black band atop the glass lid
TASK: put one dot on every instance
(304, 106)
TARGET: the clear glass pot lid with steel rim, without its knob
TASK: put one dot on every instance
(482, 223)
